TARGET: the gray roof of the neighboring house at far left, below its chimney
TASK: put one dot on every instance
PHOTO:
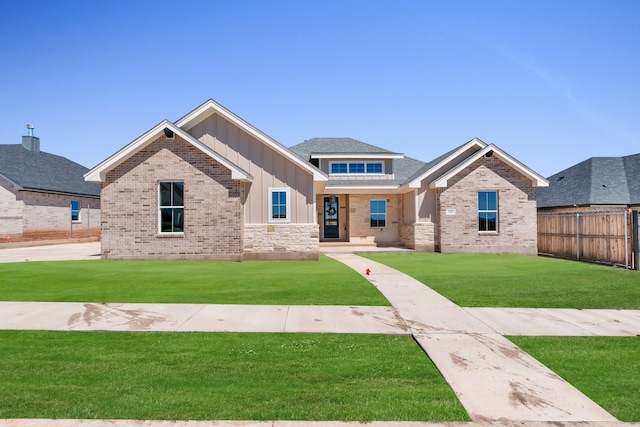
(40, 171)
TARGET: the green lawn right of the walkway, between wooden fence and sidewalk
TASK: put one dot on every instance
(520, 281)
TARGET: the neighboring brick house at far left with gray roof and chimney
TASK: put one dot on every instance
(43, 195)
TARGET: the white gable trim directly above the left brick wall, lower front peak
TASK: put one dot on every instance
(98, 173)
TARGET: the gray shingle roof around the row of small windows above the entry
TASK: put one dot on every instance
(403, 168)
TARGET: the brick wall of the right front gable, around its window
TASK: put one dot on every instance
(517, 219)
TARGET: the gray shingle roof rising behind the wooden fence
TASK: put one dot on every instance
(595, 181)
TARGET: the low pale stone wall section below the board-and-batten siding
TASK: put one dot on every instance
(282, 241)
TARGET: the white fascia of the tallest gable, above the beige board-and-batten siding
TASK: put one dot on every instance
(210, 107)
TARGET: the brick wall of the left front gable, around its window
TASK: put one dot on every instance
(213, 206)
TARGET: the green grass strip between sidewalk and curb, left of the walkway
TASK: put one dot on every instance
(197, 376)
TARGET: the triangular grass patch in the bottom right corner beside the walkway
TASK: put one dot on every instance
(603, 368)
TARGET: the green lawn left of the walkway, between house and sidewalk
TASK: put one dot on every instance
(324, 282)
